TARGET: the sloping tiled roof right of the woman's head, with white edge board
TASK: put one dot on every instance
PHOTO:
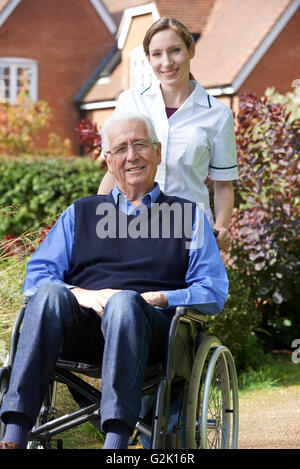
(236, 37)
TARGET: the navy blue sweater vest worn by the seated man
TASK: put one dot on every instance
(140, 264)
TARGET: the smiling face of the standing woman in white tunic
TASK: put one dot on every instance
(170, 58)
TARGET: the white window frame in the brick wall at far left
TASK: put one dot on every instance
(13, 63)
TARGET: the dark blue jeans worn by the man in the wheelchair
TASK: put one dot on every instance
(130, 334)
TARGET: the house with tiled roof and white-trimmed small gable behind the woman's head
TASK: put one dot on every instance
(249, 45)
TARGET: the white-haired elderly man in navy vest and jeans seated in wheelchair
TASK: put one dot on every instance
(104, 284)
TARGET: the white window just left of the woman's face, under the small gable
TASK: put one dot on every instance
(141, 74)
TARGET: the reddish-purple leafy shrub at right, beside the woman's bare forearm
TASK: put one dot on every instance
(266, 222)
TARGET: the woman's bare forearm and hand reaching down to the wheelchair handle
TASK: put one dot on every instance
(223, 205)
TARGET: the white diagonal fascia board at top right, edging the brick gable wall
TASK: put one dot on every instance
(265, 44)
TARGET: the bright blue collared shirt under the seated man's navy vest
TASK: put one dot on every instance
(206, 279)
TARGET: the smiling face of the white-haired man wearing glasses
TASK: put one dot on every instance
(133, 159)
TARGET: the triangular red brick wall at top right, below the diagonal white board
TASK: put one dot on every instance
(279, 67)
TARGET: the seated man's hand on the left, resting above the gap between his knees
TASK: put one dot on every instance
(94, 299)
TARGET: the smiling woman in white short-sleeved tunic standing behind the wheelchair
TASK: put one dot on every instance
(195, 129)
